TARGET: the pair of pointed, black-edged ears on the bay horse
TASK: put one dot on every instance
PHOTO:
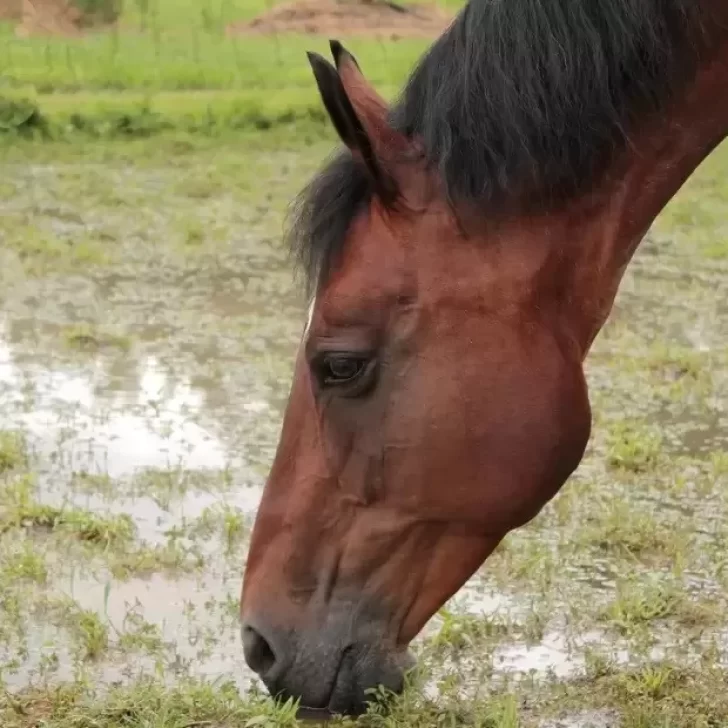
(359, 116)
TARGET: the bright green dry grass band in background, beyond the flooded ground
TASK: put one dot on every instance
(173, 66)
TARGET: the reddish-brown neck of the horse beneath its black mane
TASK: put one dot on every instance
(607, 228)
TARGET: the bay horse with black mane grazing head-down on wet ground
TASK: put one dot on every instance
(464, 248)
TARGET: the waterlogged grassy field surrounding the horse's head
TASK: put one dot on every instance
(148, 324)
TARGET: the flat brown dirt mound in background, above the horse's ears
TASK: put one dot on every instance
(377, 18)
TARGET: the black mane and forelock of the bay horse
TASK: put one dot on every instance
(518, 99)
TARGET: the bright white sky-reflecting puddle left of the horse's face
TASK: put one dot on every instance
(112, 433)
